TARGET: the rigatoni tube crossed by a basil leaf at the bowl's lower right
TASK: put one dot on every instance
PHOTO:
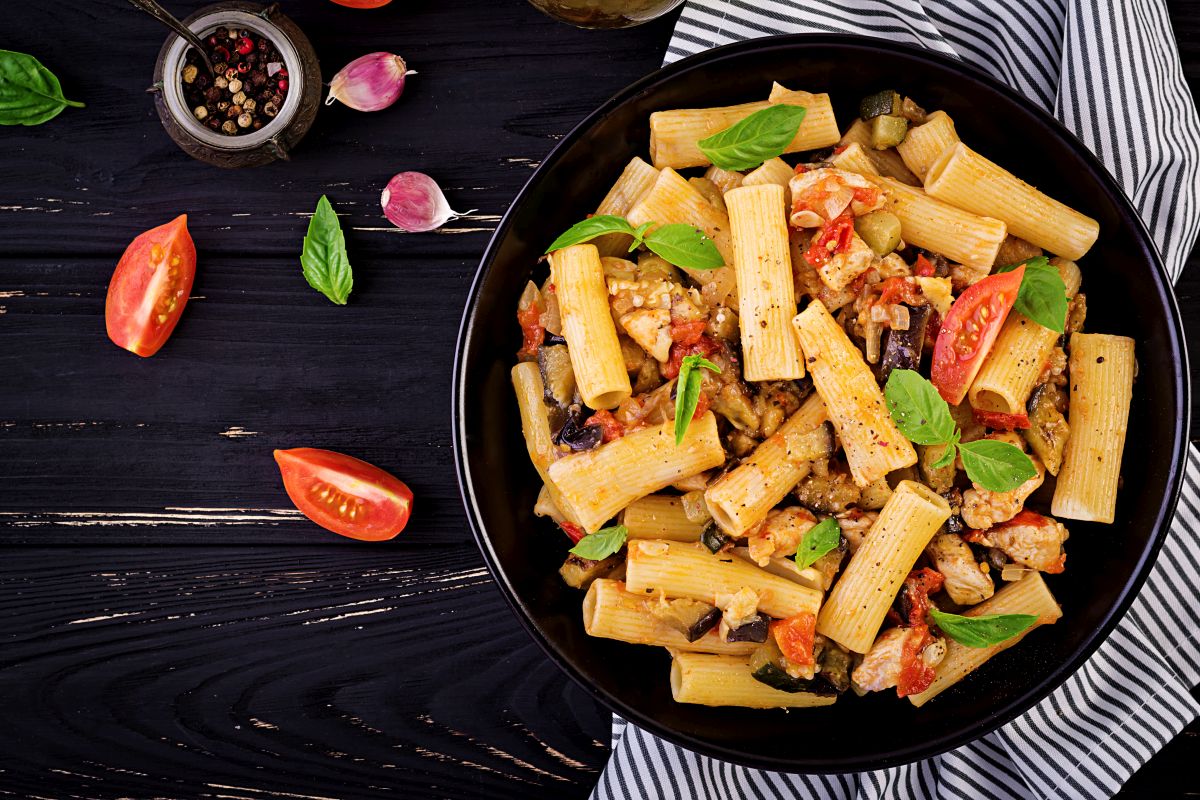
(1029, 596)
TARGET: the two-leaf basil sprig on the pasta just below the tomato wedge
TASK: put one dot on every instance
(925, 418)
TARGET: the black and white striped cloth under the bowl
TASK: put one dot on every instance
(1132, 697)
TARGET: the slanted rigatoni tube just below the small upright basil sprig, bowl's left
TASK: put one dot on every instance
(601, 483)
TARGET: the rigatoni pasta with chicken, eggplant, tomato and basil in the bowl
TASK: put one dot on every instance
(814, 424)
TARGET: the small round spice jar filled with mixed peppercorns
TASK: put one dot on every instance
(284, 97)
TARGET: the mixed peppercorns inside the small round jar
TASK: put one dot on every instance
(249, 88)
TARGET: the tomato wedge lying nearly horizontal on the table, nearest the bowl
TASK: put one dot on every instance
(344, 495)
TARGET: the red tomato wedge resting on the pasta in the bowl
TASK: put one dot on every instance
(969, 332)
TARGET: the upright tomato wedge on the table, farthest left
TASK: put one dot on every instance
(151, 288)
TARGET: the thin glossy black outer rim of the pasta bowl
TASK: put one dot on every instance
(1065, 670)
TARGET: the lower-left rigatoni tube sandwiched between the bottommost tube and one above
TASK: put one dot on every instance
(611, 612)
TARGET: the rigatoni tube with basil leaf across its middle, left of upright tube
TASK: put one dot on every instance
(671, 201)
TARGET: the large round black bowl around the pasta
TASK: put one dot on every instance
(1127, 292)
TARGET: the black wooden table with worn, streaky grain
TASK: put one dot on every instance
(171, 627)
